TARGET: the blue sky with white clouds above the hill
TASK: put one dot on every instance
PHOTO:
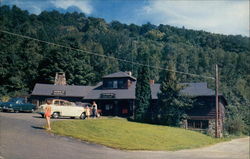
(217, 16)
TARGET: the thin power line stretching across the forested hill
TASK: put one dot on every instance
(110, 57)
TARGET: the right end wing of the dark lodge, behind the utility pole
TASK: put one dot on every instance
(202, 115)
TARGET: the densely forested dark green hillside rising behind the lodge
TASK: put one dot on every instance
(25, 62)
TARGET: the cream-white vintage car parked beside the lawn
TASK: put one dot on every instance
(63, 108)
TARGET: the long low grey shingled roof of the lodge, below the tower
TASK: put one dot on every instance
(95, 92)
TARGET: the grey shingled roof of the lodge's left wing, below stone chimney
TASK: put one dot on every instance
(70, 90)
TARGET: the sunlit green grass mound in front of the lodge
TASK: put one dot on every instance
(122, 134)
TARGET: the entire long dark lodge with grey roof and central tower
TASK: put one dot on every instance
(115, 96)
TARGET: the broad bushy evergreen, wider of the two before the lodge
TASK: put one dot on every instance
(172, 104)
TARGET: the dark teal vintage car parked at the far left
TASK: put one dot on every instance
(17, 105)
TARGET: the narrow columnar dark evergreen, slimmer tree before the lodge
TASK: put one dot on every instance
(143, 96)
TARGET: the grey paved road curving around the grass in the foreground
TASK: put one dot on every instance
(22, 137)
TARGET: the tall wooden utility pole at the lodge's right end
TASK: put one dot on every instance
(217, 132)
